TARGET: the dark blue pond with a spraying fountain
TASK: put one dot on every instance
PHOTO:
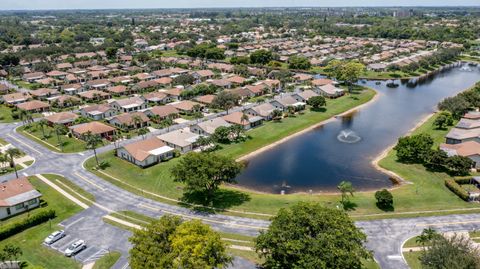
(344, 148)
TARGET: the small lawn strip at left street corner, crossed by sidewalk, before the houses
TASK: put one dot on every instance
(70, 144)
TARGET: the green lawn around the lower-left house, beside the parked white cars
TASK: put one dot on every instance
(30, 240)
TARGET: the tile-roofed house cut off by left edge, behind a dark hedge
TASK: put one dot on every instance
(17, 196)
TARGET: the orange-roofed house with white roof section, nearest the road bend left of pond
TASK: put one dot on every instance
(146, 152)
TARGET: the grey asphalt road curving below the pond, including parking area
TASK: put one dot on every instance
(385, 237)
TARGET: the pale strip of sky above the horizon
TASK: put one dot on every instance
(122, 4)
